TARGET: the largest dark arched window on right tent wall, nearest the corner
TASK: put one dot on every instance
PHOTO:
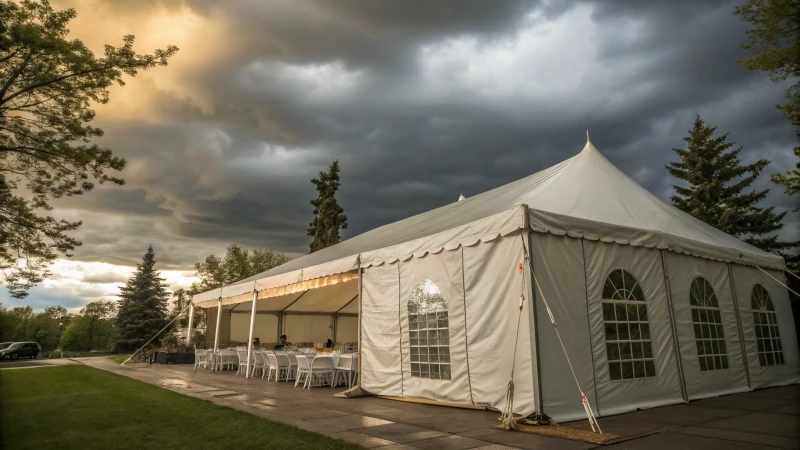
(628, 344)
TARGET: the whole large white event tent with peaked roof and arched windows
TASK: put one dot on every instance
(636, 304)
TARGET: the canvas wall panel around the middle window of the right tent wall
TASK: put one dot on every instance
(683, 273)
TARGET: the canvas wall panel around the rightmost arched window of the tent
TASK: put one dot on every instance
(745, 278)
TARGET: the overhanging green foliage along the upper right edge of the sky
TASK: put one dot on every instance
(775, 48)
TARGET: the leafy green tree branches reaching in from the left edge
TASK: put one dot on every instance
(48, 84)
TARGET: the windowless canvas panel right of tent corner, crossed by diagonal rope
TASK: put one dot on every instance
(559, 266)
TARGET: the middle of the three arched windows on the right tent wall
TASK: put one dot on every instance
(707, 322)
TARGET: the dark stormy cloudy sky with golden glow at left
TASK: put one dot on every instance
(420, 101)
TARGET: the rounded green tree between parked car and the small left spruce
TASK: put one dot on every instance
(93, 329)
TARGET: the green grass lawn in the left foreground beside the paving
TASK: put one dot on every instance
(79, 407)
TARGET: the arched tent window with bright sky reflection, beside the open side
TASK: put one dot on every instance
(429, 332)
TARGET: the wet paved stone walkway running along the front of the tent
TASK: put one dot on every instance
(764, 419)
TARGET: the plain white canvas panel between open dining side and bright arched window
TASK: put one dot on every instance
(381, 367)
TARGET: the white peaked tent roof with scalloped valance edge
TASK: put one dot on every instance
(585, 196)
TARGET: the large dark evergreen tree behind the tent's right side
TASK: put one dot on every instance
(716, 189)
